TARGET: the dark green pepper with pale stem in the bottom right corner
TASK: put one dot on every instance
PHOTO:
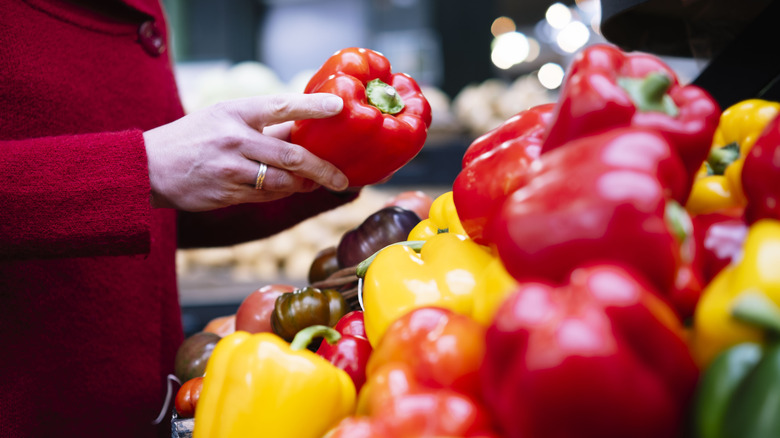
(738, 393)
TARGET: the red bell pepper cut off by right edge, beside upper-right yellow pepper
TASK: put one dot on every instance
(761, 175)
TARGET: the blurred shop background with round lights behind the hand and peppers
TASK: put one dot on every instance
(479, 63)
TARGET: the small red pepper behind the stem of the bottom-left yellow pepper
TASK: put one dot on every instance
(351, 350)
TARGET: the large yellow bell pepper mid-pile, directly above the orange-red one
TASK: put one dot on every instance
(444, 273)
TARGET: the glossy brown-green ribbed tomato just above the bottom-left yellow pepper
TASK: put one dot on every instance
(301, 308)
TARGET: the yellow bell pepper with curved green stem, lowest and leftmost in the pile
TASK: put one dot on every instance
(258, 385)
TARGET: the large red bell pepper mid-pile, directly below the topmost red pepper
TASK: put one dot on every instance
(600, 198)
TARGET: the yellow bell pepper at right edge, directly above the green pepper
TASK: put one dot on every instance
(715, 328)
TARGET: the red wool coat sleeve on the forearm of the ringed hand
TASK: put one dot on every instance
(74, 196)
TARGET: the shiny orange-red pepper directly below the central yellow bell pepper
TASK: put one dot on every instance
(443, 348)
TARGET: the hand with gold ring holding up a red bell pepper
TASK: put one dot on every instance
(210, 158)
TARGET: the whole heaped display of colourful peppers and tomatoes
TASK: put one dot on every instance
(576, 281)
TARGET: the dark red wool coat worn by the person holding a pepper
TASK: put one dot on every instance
(89, 312)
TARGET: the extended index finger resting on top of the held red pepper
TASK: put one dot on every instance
(261, 111)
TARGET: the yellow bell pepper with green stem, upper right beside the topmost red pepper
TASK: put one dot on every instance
(718, 184)
